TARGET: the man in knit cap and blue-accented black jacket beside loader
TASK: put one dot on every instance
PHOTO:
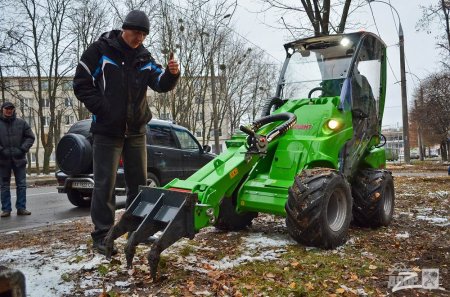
(112, 80)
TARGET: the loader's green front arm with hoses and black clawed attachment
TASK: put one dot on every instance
(182, 208)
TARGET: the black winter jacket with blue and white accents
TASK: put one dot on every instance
(112, 80)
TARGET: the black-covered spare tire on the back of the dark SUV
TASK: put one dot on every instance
(74, 154)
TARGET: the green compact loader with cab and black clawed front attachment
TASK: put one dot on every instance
(315, 157)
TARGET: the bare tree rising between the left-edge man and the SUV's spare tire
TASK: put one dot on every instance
(43, 50)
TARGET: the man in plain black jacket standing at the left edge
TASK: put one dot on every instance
(16, 139)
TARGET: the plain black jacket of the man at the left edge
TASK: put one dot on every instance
(16, 139)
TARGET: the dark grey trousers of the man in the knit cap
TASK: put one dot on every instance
(106, 152)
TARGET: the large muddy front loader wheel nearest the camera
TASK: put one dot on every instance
(319, 208)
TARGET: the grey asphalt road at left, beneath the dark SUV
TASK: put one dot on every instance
(47, 207)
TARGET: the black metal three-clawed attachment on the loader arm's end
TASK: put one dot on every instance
(154, 210)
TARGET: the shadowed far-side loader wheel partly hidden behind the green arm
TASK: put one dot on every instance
(230, 220)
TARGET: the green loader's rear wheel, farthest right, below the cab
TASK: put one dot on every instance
(373, 194)
